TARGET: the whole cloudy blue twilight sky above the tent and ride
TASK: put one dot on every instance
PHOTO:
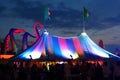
(66, 18)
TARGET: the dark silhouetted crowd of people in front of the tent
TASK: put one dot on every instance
(65, 71)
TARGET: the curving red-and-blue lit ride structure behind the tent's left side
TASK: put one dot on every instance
(10, 43)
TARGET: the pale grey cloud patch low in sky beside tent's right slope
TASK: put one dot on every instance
(109, 35)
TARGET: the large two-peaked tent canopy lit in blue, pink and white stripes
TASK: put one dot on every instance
(49, 47)
